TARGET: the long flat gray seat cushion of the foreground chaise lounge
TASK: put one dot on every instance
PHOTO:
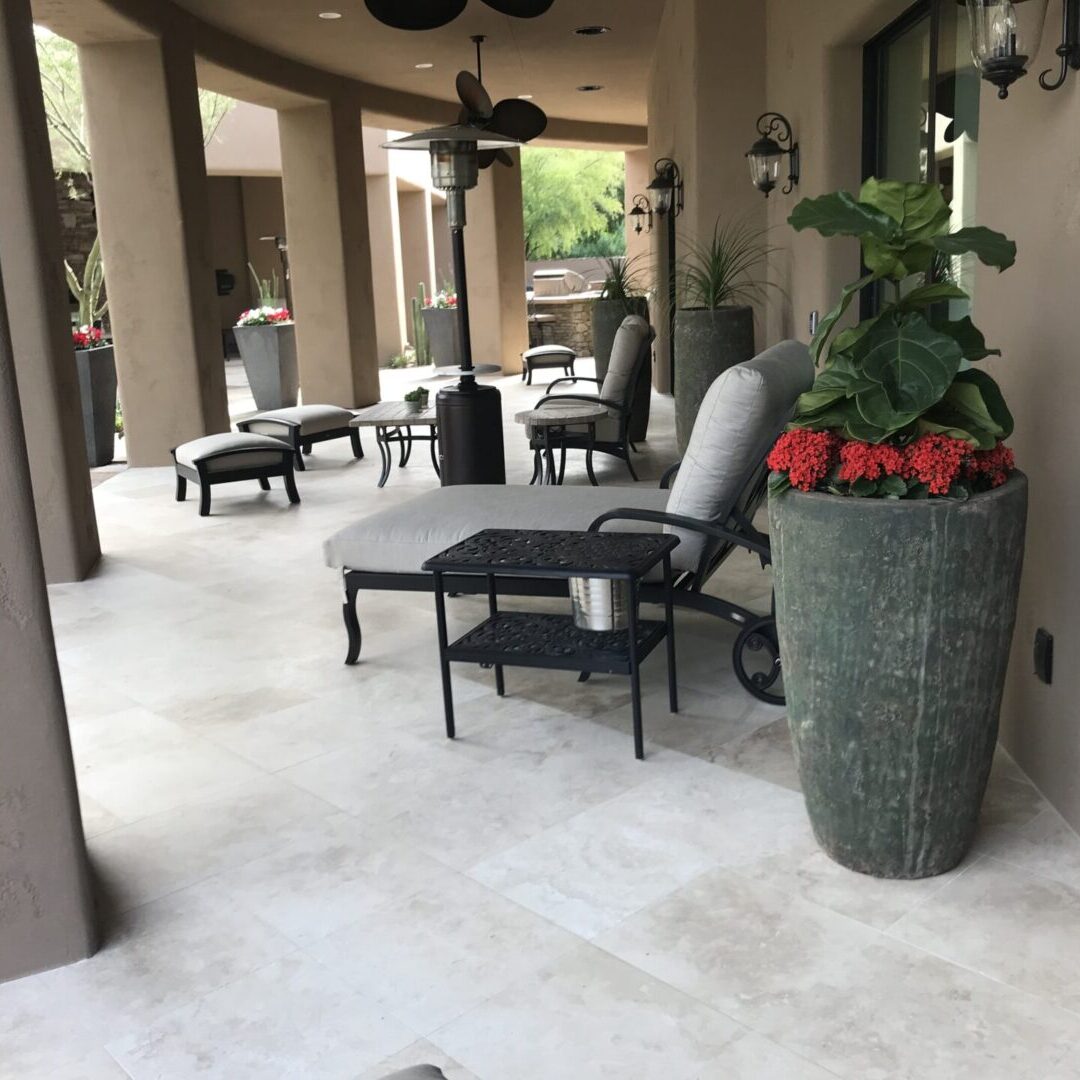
(399, 541)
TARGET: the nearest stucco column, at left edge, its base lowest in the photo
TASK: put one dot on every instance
(47, 915)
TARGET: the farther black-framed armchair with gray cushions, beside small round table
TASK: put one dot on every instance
(633, 344)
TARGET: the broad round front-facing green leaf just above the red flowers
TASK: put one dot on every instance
(912, 363)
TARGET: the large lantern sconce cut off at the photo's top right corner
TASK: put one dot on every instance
(1006, 36)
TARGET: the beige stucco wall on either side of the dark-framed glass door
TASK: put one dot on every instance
(1030, 155)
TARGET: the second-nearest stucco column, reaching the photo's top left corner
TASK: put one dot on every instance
(32, 260)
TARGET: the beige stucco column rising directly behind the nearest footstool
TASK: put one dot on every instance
(154, 210)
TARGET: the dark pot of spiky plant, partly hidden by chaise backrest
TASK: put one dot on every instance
(707, 345)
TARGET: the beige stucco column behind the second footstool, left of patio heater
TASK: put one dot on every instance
(322, 157)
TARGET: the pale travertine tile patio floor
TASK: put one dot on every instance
(302, 877)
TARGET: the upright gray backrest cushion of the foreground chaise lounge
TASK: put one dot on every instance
(740, 417)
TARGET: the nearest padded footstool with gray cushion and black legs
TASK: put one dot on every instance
(226, 458)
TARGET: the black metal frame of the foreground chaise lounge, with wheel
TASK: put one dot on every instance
(758, 633)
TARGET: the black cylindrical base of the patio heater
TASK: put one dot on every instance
(470, 435)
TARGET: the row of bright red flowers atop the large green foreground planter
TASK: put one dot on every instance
(939, 462)
